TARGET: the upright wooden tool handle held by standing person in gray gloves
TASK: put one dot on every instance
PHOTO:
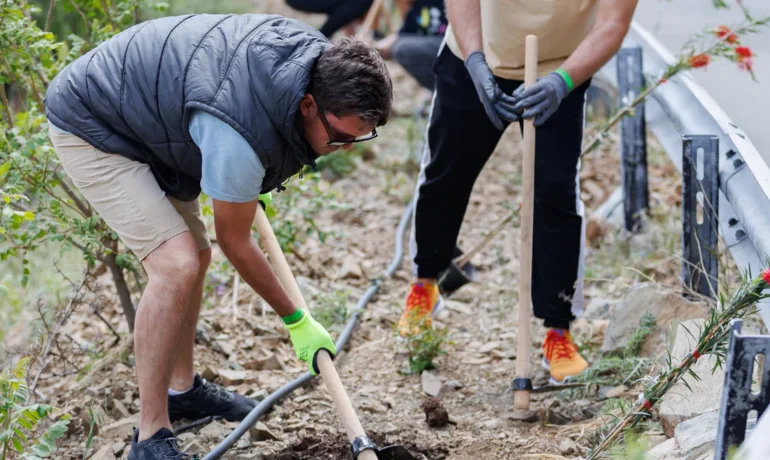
(521, 397)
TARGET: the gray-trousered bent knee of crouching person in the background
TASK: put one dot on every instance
(417, 54)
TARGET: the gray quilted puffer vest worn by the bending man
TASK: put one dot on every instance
(134, 94)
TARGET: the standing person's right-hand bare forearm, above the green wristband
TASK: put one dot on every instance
(613, 19)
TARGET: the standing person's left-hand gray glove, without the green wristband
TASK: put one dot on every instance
(499, 106)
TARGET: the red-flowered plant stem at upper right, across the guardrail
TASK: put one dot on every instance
(721, 42)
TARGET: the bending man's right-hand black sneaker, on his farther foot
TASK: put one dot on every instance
(206, 399)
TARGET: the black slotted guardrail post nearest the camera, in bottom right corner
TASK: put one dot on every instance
(737, 398)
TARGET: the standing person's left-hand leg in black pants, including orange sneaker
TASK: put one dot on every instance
(461, 138)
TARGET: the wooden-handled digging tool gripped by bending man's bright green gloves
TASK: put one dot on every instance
(362, 446)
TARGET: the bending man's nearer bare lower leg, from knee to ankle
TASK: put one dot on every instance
(172, 270)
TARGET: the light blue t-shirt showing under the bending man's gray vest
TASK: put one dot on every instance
(231, 171)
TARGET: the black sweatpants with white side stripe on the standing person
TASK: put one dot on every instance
(460, 141)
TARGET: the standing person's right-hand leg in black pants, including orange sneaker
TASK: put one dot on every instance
(559, 233)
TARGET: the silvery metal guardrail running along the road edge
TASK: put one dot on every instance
(681, 107)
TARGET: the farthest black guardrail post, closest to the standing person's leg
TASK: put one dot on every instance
(633, 138)
